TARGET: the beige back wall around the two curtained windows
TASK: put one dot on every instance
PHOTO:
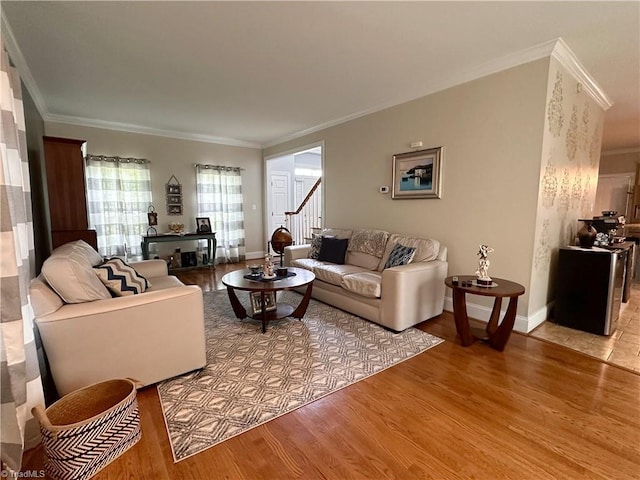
(170, 156)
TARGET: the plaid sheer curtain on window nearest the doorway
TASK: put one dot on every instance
(219, 191)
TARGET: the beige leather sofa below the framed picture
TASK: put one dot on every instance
(396, 297)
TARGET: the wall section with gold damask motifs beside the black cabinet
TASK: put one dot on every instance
(568, 177)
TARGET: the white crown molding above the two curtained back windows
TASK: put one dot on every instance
(125, 127)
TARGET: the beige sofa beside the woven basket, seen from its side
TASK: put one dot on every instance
(90, 336)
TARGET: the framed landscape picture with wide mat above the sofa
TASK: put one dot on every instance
(417, 174)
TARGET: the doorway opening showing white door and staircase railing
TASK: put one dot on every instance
(289, 178)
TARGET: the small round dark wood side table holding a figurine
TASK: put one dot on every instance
(497, 334)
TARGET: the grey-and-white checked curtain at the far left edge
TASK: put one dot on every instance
(21, 385)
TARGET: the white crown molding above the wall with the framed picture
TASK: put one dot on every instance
(521, 57)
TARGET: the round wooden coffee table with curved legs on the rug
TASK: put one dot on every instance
(267, 311)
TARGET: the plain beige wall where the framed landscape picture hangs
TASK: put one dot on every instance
(491, 130)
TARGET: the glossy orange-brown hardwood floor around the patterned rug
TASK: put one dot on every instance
(535, 411)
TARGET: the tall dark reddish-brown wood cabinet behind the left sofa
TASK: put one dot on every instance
(67, 192)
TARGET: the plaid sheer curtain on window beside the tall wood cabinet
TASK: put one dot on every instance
(118, 196)
